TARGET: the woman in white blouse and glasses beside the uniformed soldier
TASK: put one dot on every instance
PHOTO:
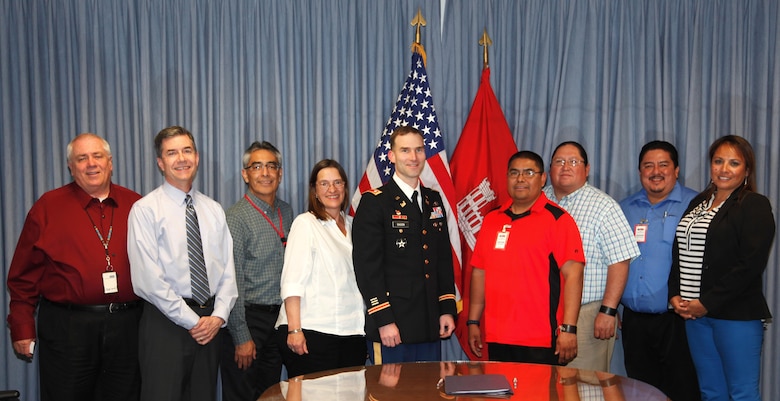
(321, 324)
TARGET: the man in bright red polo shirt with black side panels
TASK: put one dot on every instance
(527, 278)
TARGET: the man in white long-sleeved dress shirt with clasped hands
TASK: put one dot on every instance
(178, 348)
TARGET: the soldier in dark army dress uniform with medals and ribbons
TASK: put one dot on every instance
(403, 260)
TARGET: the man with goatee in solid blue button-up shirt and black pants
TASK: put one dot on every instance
(654, 341)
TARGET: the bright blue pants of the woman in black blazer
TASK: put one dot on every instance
(727, 356)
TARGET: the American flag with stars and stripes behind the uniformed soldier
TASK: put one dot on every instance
(414, 107)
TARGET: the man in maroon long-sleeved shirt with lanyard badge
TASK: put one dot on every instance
(71, 263)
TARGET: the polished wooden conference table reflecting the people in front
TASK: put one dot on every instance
(420, 381)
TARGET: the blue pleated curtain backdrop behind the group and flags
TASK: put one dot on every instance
(319, 79)
